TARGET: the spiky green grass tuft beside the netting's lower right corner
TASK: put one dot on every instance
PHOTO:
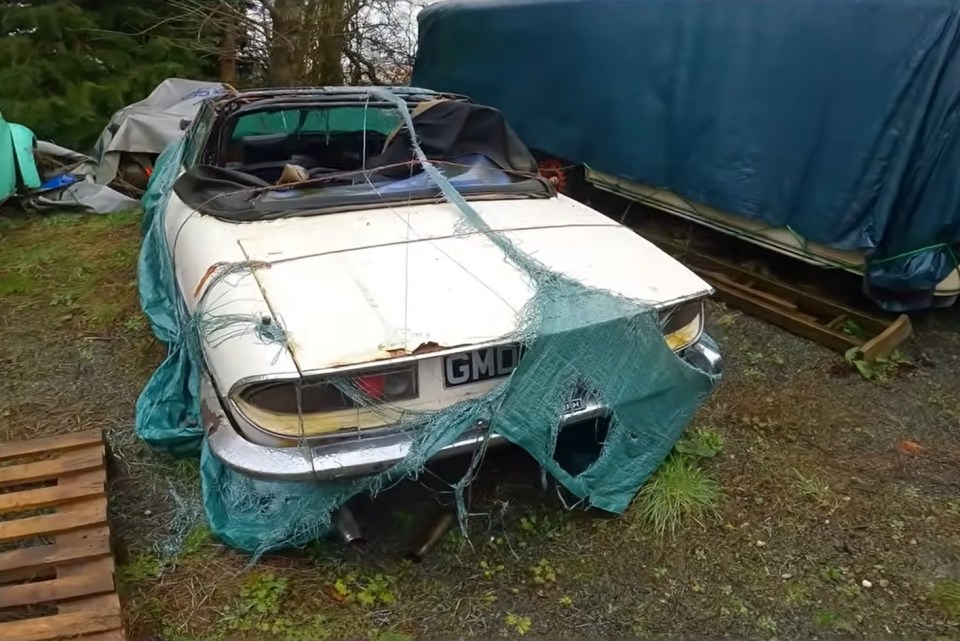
(680, 490)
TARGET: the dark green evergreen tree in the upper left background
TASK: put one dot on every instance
(69, 65)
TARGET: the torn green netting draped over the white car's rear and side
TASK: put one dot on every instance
(574, 338)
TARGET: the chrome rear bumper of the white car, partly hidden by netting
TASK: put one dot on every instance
(370, 453)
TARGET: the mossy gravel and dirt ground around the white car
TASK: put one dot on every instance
(824, 529)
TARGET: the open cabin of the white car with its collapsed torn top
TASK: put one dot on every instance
(354, 156)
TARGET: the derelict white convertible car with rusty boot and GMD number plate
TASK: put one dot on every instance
(350, 248)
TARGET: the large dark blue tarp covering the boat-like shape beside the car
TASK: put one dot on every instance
(835, 118)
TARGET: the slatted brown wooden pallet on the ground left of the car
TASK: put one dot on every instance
(56, 575)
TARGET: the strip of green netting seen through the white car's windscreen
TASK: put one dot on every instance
(317, 120)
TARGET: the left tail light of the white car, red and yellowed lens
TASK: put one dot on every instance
(321, 407)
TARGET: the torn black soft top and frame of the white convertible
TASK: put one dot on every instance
(446, 127)
